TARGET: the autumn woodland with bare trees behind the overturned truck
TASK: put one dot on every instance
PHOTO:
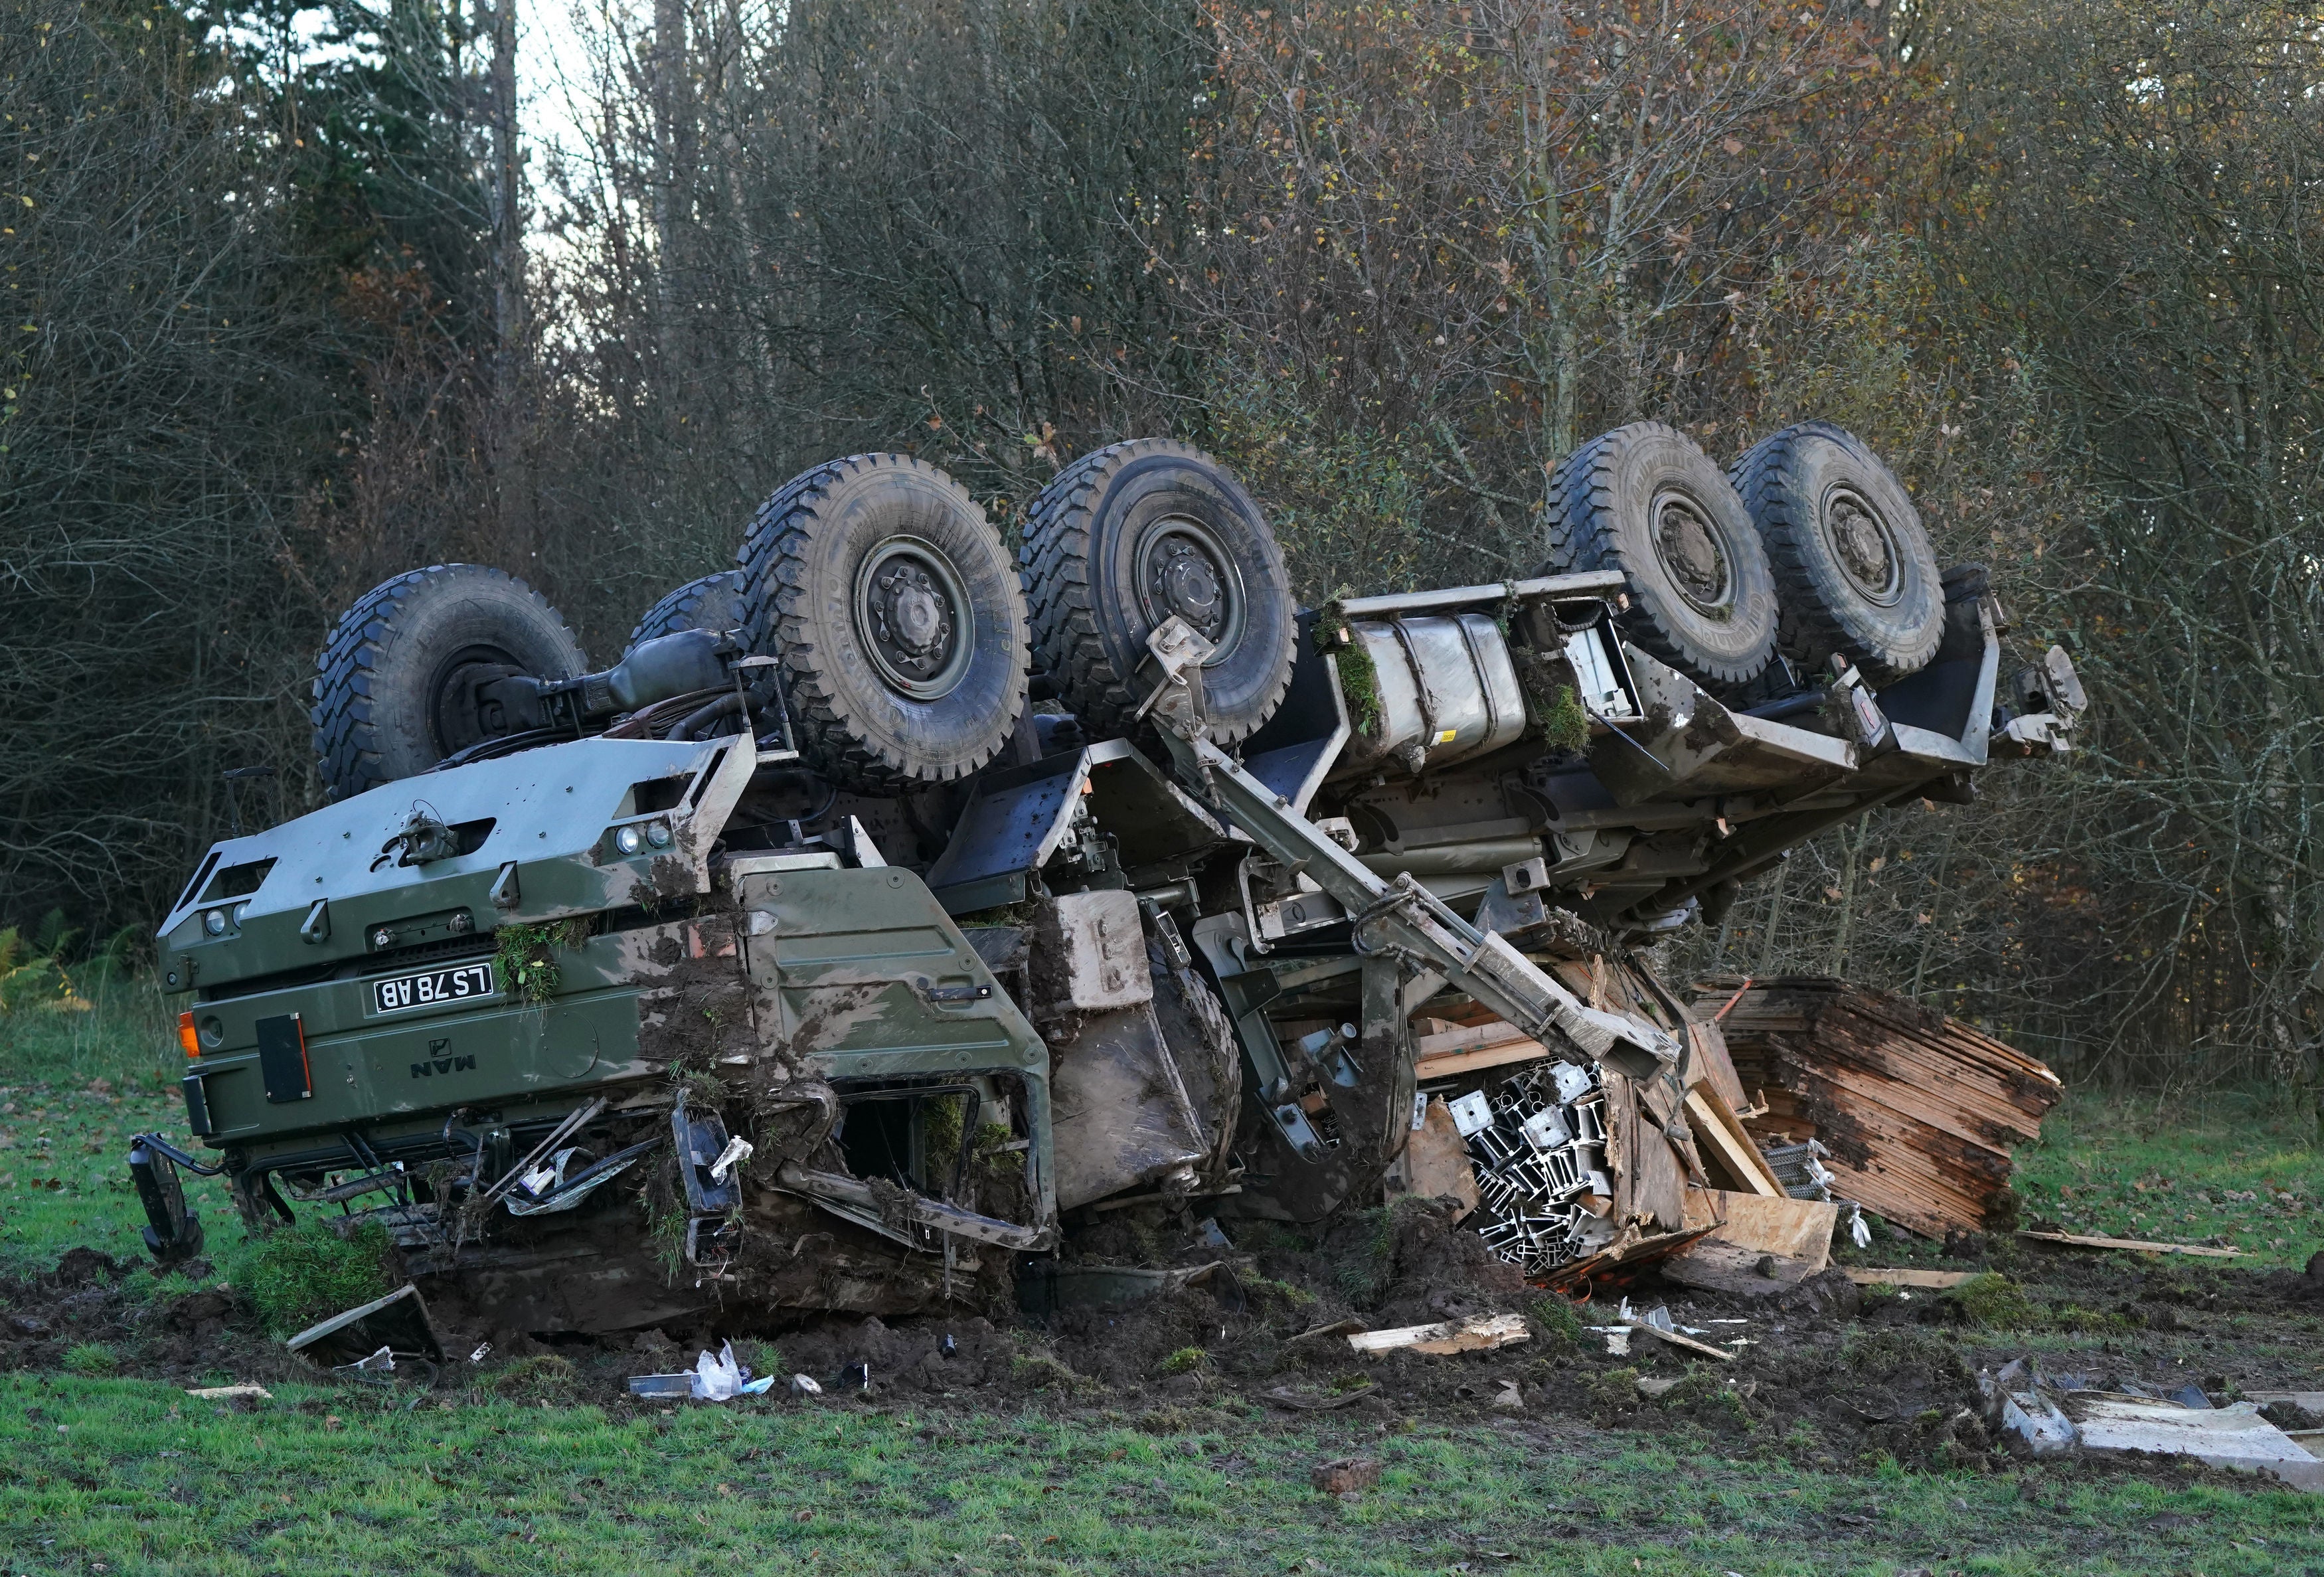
(294, 305)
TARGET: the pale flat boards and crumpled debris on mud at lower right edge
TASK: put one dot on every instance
(2053, 1416)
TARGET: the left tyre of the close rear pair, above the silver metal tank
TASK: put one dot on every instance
(1649, 503)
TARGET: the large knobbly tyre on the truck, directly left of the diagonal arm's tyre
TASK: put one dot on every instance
(898, 621)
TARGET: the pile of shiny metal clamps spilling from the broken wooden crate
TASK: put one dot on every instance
(1540, 1148)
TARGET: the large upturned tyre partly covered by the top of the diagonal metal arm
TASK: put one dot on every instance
(1131, 535)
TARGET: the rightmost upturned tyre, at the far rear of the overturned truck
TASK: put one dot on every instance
(1851, 559)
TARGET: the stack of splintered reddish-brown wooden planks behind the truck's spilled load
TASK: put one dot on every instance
(1918, 1111)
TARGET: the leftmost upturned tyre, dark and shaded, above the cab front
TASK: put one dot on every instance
(389, 693)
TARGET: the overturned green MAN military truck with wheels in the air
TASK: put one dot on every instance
(891, 909)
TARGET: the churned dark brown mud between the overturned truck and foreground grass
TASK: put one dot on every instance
(1830, 1376)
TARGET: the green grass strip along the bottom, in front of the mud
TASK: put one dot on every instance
(141, 1478)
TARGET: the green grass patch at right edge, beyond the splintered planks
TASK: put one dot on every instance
(2232, 1169)
